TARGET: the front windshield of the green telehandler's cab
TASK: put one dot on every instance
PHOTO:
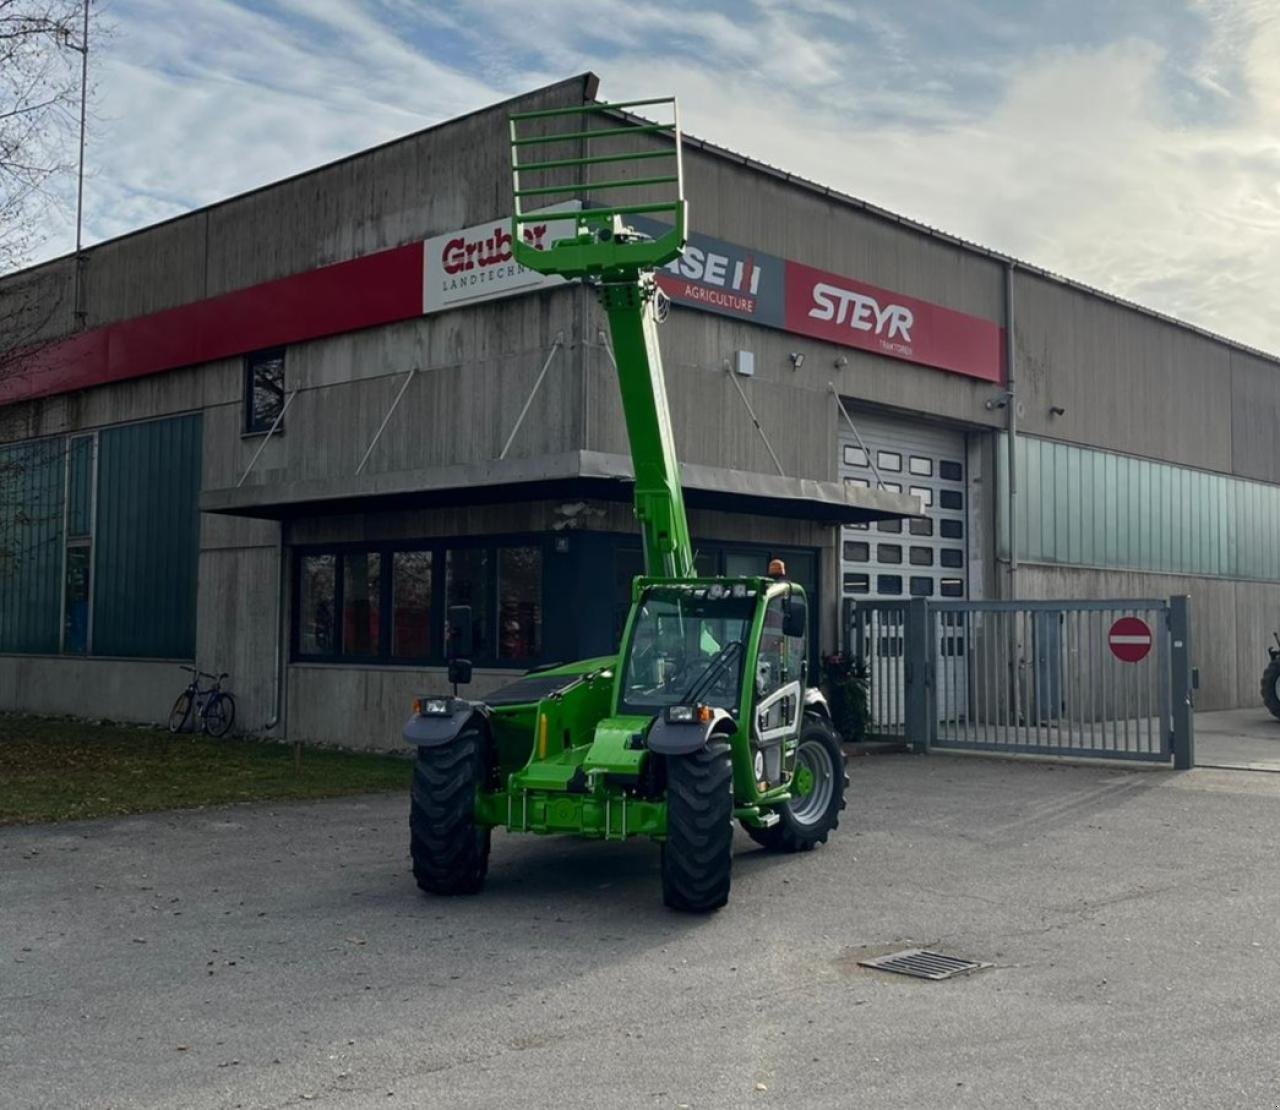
(687, 647)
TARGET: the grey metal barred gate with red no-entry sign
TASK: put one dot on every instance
(1109, 679)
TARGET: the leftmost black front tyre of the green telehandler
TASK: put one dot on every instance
(450, 851)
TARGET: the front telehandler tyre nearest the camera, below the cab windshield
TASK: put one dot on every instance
(698, 855)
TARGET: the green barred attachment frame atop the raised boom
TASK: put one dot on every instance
(602, 245)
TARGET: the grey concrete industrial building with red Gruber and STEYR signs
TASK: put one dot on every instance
(150, 518)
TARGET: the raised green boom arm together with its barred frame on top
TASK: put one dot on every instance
(620, 262)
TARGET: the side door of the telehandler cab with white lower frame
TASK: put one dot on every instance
(778, 674)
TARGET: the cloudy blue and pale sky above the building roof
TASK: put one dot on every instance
(1132, 145)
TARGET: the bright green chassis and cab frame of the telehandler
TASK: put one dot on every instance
(568, 765)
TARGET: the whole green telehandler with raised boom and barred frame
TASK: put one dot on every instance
(705, 716)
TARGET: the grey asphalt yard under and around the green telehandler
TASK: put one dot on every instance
(281, 956)
